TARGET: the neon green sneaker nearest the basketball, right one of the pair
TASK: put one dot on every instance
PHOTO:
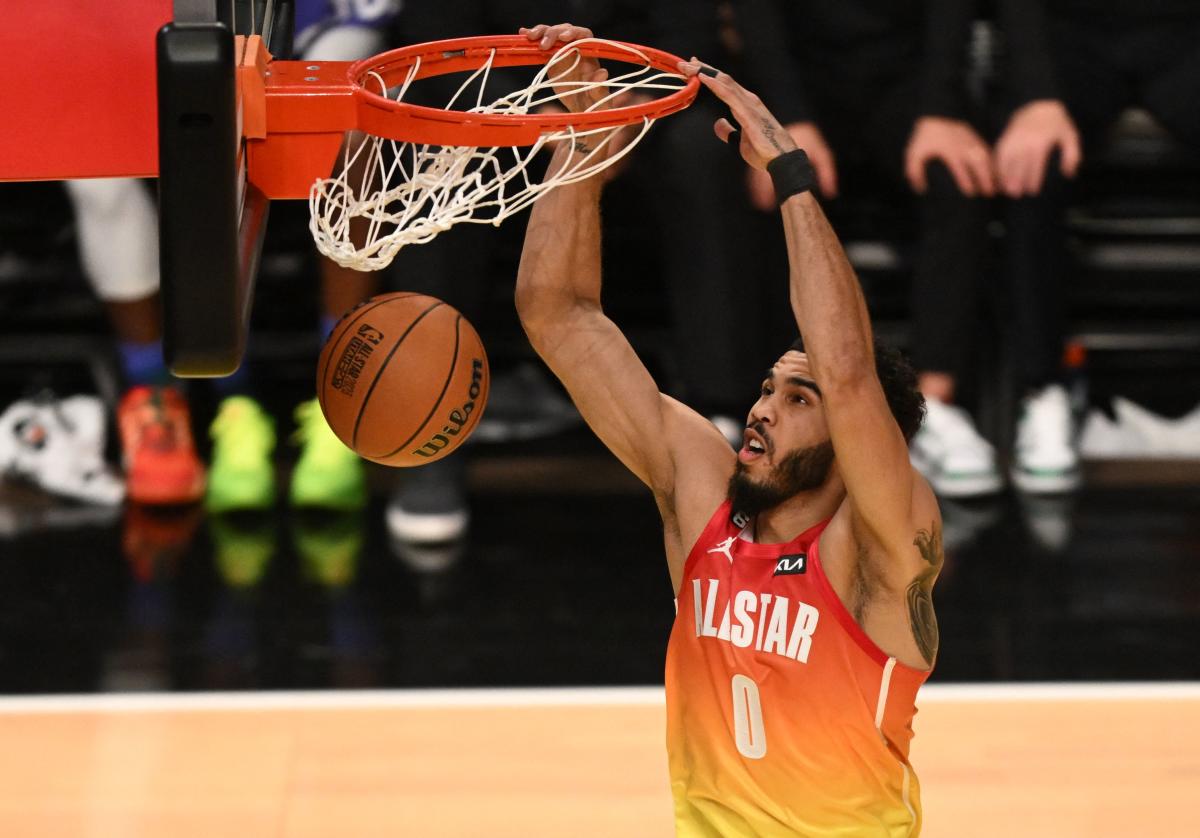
(329, 475)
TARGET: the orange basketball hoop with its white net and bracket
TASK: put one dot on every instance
(421, 170)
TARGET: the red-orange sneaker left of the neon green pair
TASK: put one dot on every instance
(161, 465)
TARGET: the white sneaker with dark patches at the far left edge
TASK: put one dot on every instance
(59, 446)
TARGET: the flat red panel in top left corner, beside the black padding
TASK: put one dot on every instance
(79, 88)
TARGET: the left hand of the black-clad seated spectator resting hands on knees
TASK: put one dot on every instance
(959, 147)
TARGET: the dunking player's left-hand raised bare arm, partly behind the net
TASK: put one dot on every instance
(559, 301)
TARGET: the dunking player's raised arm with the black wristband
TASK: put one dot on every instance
(890, 501)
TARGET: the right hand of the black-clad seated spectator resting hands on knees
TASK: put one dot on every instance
(1031, 136)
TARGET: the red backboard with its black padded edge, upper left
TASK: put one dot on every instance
(146, 88)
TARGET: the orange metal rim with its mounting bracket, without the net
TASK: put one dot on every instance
(297, 112)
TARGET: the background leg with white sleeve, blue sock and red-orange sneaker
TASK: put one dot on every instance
(119, 248)
